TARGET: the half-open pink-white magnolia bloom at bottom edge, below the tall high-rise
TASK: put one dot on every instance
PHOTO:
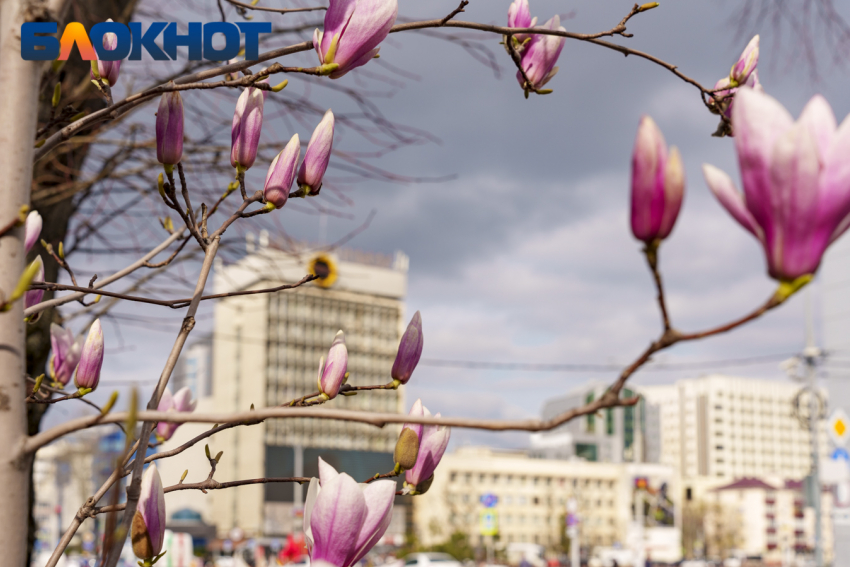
(343, 520)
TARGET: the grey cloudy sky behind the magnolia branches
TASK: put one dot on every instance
(525, 254)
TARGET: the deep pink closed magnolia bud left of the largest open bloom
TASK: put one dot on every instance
(658, 184)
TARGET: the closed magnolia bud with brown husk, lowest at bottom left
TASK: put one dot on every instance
(147, 531)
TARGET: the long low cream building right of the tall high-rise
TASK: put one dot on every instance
(532, 499)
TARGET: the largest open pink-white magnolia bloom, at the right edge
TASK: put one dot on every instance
(796, 181)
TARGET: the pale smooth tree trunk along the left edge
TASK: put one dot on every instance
(18, 108)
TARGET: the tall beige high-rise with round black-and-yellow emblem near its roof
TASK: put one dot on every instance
(265, 352)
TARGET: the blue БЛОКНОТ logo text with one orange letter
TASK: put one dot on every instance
(132, 40)
